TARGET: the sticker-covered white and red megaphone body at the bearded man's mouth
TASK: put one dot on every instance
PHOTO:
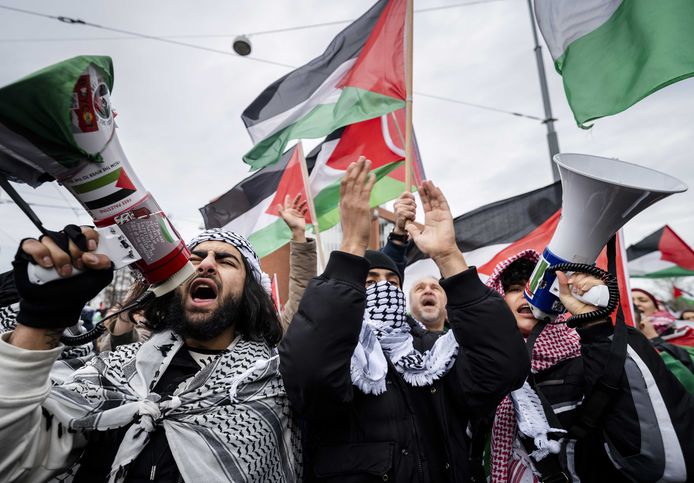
(109, 189)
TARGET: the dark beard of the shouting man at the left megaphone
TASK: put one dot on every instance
(203, 326)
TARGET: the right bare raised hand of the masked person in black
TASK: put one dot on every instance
(437, 239)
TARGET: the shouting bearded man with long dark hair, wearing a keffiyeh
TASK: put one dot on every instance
(202, 399)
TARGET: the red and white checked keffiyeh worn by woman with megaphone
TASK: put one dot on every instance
(556, 343)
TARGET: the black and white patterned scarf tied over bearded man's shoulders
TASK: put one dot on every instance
(230, 422)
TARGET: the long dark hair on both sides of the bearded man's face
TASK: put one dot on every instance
(257, 318)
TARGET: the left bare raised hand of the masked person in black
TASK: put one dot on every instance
(355, 211)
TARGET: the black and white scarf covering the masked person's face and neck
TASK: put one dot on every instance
(386, 333)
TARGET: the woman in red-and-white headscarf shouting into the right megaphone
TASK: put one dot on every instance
(540, 432)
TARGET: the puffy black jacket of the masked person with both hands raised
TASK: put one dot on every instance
(408, 433)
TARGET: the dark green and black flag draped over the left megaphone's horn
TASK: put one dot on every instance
(37, 136)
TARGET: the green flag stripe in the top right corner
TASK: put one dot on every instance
(644, 46)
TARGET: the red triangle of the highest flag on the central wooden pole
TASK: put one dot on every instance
(380, 66)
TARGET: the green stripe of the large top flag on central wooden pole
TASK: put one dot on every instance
(354, 105)
